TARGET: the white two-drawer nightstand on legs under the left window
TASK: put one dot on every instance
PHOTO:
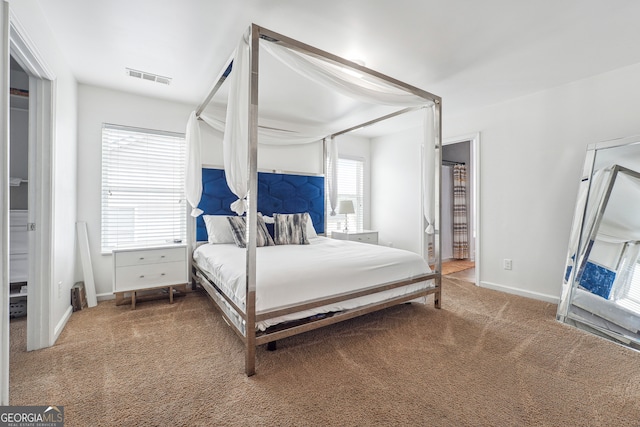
(145, 269)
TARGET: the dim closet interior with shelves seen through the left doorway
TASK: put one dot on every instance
(19, 191)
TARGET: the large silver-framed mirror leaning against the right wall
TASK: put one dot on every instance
(601, 287)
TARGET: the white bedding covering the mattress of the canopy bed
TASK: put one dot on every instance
(292, 274)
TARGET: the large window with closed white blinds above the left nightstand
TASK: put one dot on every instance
(143, 202)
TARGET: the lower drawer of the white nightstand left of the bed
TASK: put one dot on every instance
(146, 276)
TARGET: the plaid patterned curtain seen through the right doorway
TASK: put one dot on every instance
(460, 225)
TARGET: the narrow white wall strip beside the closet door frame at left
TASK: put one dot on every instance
(28, 15)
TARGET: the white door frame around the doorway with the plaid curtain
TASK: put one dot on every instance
(474, 172)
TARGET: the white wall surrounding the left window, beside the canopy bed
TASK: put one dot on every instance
(98, 106)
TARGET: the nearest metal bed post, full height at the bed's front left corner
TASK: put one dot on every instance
(252, 213)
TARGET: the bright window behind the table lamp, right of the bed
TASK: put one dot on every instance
(350, 187)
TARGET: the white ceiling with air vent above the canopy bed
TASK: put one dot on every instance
(469, 52)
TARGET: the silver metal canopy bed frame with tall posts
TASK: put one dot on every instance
(249, 336)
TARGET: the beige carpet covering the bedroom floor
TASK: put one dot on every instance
(486, 358)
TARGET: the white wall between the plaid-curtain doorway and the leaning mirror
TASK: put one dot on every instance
(531, 155)
